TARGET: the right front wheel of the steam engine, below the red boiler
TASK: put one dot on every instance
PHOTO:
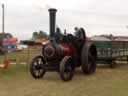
(66, 68)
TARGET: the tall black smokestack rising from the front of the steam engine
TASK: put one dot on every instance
(52, 21)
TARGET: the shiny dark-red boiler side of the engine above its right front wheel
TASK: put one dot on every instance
(68, 49)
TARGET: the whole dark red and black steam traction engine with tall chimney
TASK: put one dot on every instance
(64, 52)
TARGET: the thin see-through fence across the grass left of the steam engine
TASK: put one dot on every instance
(23, 56)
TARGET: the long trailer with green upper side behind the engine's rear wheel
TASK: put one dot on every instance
(109, 52)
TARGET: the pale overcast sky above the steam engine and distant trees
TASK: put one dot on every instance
(23, 17)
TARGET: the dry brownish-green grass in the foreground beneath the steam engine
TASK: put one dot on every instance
(17, 81)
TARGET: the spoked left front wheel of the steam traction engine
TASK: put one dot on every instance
(37, 69)
